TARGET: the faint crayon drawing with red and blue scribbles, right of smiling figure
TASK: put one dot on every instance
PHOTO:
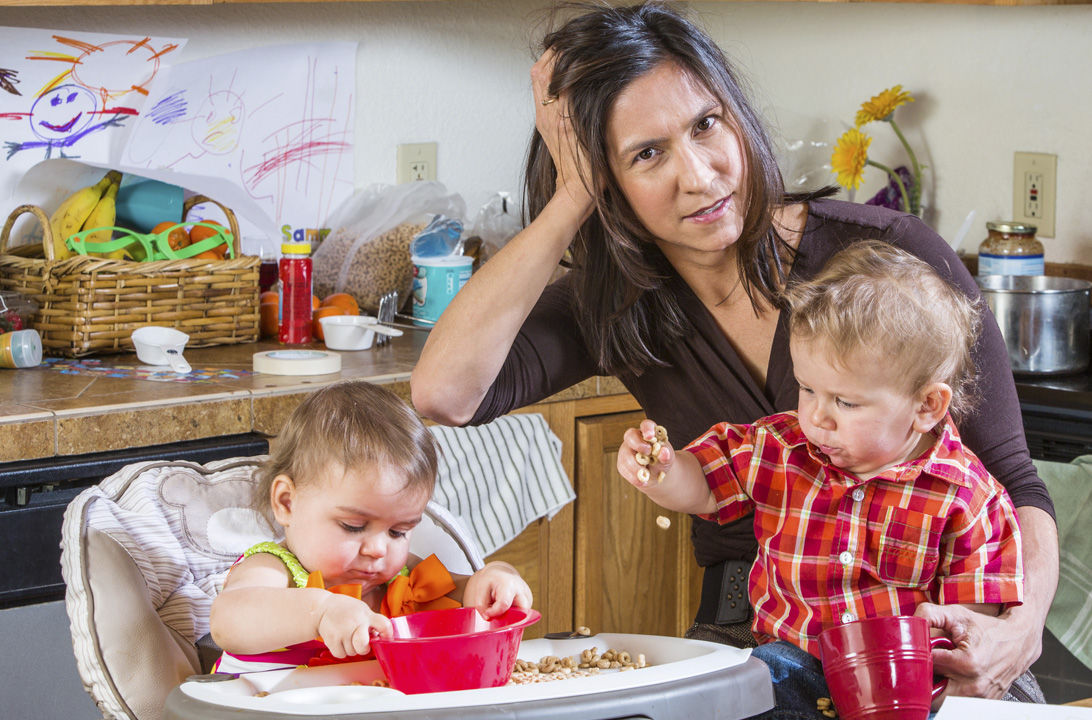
(286, 146)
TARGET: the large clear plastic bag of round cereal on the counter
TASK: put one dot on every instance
(367, 252)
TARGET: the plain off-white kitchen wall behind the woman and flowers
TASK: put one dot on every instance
(988, 81)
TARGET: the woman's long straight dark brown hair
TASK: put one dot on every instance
(621, 278)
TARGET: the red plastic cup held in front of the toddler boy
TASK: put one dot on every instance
(882, 668)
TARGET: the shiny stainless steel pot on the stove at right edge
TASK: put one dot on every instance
(1044, 322)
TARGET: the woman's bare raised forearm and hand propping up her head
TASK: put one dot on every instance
(467, 349)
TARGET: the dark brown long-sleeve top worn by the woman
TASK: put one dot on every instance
(706, 382)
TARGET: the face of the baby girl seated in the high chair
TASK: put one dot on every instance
(354, 527)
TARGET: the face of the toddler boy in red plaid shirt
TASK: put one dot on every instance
(857, 411)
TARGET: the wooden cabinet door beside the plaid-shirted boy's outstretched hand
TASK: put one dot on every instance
(632, 575)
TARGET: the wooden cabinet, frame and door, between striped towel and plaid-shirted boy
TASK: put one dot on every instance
(603, 562)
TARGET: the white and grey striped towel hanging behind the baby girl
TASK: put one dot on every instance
(501, 477)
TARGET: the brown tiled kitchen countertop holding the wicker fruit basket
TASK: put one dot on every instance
(73, 407)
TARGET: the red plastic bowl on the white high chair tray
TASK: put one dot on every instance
(455, 650)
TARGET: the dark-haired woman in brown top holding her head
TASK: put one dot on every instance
(650, 167)
